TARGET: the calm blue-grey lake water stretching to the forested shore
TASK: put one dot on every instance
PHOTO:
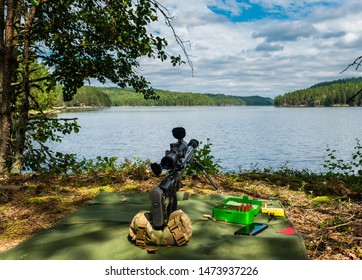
(241, 137)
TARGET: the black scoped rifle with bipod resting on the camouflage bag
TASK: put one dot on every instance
(163, 197)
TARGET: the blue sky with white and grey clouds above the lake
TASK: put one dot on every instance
(258, 47)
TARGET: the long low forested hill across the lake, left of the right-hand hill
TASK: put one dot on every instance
(128, 97)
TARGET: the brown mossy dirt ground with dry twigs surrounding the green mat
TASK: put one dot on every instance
(331, 226)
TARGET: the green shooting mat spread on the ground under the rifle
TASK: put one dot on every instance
(100, 231)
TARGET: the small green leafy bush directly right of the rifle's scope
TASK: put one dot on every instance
(203, 155)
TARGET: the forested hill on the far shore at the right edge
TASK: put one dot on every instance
(331, 93)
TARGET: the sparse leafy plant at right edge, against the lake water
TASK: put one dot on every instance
(340, 167)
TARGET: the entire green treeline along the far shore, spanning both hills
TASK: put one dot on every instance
(327, 94)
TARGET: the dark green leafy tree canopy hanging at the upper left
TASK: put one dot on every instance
(91, 39)
